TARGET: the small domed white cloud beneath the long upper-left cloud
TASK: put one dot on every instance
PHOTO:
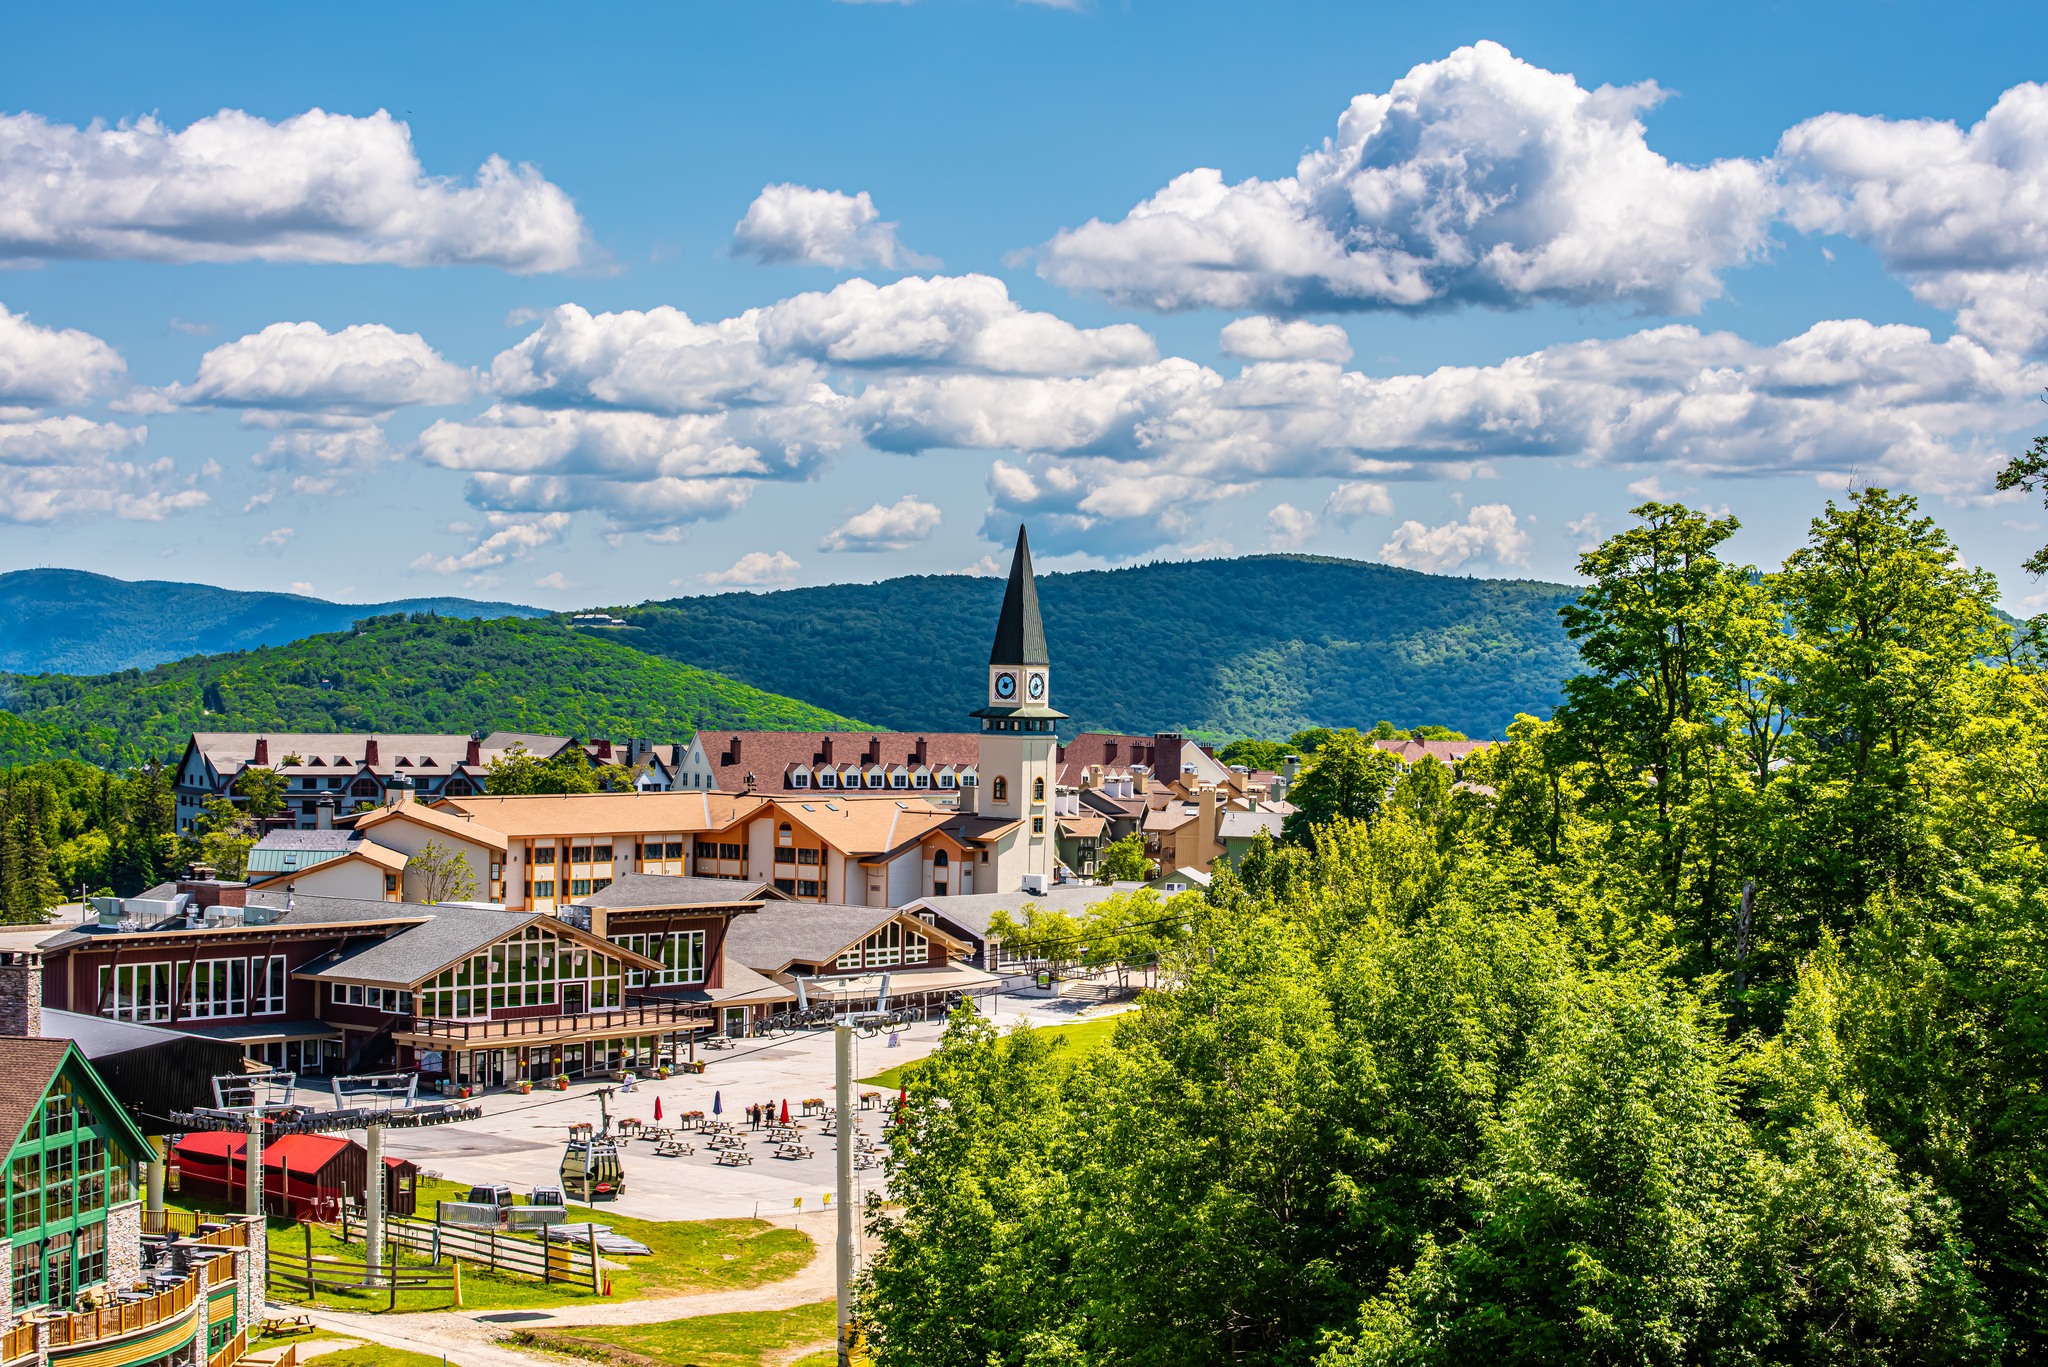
(298, 374)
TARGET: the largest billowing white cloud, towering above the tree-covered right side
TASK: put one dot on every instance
(1478, 179)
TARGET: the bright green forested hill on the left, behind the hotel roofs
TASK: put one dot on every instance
(392, 675)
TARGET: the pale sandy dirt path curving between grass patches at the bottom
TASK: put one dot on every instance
(470, 1337)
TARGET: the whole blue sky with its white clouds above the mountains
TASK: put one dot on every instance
(613, 304)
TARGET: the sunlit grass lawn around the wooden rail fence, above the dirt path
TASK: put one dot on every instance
(697, 1255)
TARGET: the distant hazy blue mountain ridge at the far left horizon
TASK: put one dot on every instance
(89, 624)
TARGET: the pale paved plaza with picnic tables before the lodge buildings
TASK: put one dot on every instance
(521, 1138)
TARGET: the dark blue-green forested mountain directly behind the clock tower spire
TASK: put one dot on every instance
(1258, 647)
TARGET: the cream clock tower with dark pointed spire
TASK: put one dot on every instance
(1015, 772)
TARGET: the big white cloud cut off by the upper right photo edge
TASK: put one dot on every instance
(1963, 216)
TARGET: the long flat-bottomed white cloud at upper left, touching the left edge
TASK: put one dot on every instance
(232, 188)
